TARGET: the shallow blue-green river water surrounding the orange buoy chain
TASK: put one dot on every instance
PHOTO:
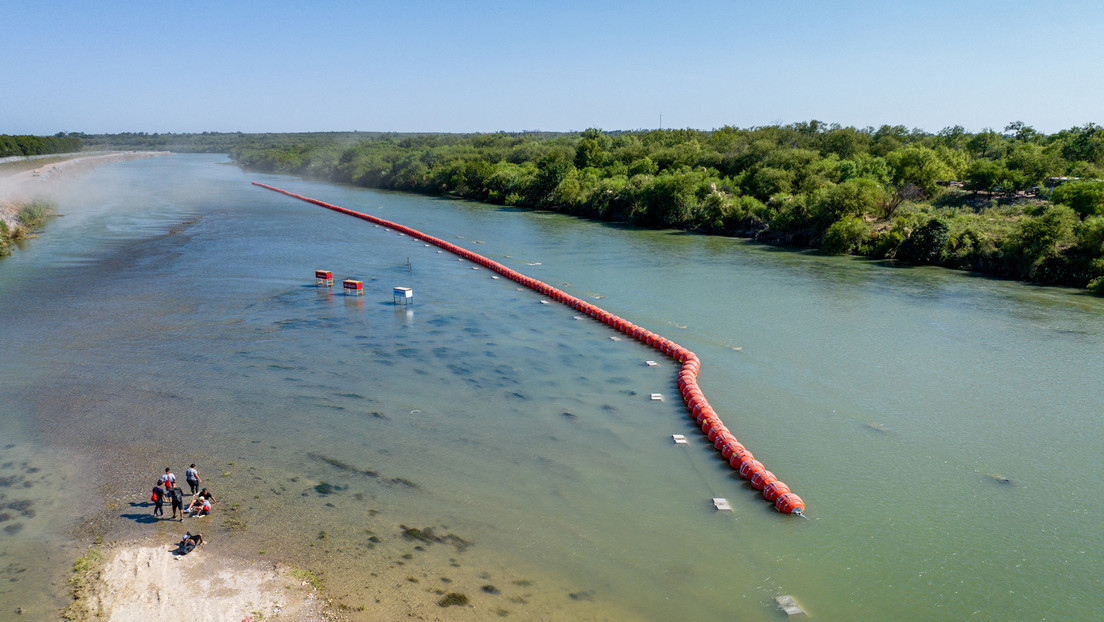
(944, 430)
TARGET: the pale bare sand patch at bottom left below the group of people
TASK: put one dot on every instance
(150, 581)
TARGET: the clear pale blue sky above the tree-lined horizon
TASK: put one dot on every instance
(514, 66)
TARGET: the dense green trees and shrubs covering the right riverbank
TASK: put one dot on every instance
(973, 202)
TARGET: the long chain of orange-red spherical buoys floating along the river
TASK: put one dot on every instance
(731, 450)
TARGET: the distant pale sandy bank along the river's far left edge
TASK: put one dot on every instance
(19, 184)
